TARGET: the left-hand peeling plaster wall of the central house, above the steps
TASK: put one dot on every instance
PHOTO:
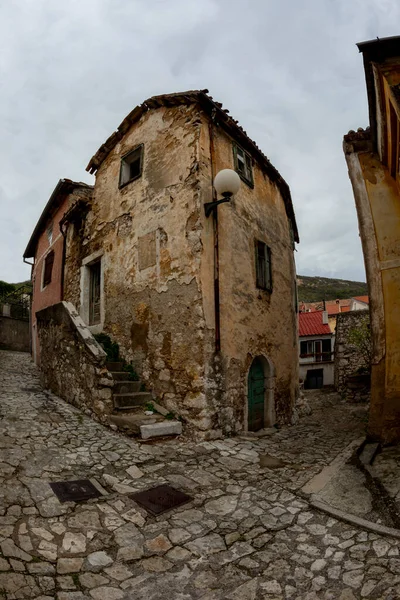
(149, 234)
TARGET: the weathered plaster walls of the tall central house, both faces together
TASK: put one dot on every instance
(157, 252)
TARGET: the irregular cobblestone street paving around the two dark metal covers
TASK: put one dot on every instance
(247, 535)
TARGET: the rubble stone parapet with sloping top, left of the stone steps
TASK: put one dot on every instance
(72, 362)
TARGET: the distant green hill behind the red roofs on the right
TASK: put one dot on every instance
(313, 289)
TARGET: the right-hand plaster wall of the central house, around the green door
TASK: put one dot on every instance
(253, 322)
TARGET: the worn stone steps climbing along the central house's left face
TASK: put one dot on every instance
(130, 406)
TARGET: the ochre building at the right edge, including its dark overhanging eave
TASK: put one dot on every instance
(373, 161)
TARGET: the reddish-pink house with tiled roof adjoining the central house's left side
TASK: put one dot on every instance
(47, 249)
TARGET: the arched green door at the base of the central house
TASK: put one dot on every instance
(260, 395)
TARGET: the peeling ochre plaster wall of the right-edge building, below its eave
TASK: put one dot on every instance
(378, 209)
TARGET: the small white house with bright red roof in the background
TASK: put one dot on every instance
(316, 367)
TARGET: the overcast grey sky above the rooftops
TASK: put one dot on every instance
(289, 70)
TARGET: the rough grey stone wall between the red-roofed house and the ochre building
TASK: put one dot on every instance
(349, 359)
